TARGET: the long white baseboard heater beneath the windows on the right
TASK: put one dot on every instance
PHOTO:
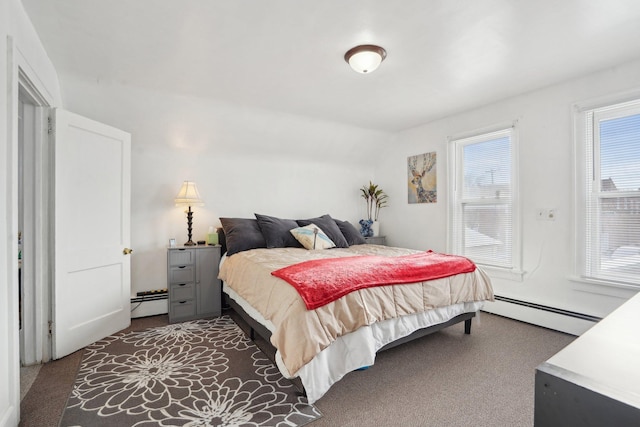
(556, 321)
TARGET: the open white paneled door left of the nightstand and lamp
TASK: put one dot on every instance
(91, 289)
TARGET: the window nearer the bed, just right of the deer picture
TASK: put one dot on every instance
(484, 210)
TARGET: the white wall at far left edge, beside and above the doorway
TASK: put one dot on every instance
(19, 47)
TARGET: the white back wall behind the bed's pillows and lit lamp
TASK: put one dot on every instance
(243, 161)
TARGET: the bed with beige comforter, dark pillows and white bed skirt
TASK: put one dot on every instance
(321, 341)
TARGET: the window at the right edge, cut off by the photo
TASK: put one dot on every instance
(608, 208)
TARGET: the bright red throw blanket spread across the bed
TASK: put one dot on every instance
(322, 281)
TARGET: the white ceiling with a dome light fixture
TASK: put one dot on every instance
(444, 56)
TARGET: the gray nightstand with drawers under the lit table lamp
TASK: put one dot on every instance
(193, 284)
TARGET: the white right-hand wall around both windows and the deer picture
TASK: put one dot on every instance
(546, 181)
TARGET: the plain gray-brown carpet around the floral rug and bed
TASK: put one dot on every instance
(445, 379)
